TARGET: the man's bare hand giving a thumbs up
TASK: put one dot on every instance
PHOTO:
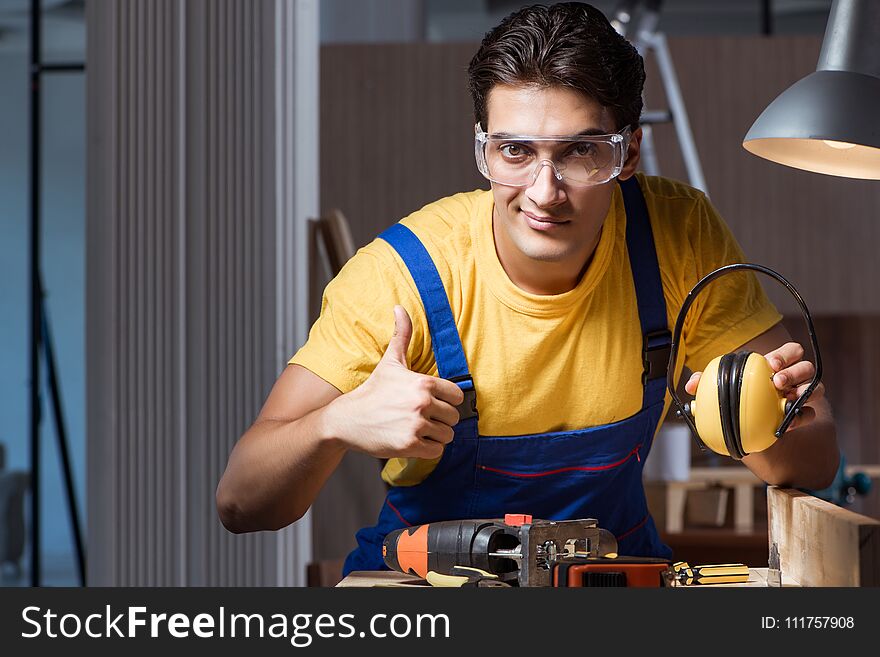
(397, 412)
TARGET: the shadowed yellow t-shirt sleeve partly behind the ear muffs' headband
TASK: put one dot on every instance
(731, 310)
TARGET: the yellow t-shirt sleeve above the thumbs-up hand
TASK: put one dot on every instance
(357, 319)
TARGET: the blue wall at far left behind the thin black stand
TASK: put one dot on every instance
(63, 271)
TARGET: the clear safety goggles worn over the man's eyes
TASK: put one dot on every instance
(582, 161)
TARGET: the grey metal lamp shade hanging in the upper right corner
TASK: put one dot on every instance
(829, 122)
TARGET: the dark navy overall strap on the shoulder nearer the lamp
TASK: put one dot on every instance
(656, 338)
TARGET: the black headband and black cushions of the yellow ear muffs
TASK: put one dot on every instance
(683, 409)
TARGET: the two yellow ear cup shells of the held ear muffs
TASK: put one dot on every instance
(761, 407)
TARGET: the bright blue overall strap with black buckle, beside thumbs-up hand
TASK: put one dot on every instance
(445, 341)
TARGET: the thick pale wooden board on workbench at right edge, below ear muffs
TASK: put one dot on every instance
(821, 544)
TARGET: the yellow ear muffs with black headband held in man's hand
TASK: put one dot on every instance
(737, 409)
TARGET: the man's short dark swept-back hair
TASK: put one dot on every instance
(568, 44)
